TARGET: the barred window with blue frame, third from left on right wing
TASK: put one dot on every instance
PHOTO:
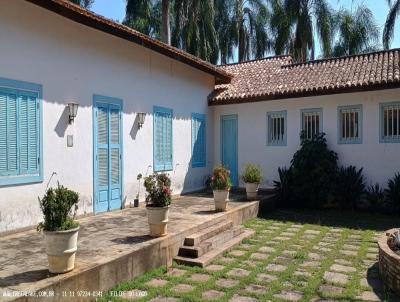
(350, 124)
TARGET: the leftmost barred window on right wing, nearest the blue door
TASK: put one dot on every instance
(276, 128)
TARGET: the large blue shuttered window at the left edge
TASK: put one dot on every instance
(20, 132)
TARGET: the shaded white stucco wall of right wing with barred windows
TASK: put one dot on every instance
(380, 161)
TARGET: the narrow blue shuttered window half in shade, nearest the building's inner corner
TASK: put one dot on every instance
(198, 140)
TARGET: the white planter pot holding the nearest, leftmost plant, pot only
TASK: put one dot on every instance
(61, 248)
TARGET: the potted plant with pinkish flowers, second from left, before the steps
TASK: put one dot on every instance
(158, 199)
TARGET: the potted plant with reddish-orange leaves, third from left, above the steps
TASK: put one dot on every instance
(221, 184)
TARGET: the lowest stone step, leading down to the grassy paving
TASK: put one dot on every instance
(205, 259)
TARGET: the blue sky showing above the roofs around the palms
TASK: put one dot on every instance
(115, 9)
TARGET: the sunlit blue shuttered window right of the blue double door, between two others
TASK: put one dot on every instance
(162, 139)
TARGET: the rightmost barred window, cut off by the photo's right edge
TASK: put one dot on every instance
(390, 122)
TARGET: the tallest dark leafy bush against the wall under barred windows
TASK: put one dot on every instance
(313, 172)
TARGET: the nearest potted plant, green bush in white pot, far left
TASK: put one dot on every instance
(59, 227)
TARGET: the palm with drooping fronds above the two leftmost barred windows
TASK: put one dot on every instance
(293, 25)
